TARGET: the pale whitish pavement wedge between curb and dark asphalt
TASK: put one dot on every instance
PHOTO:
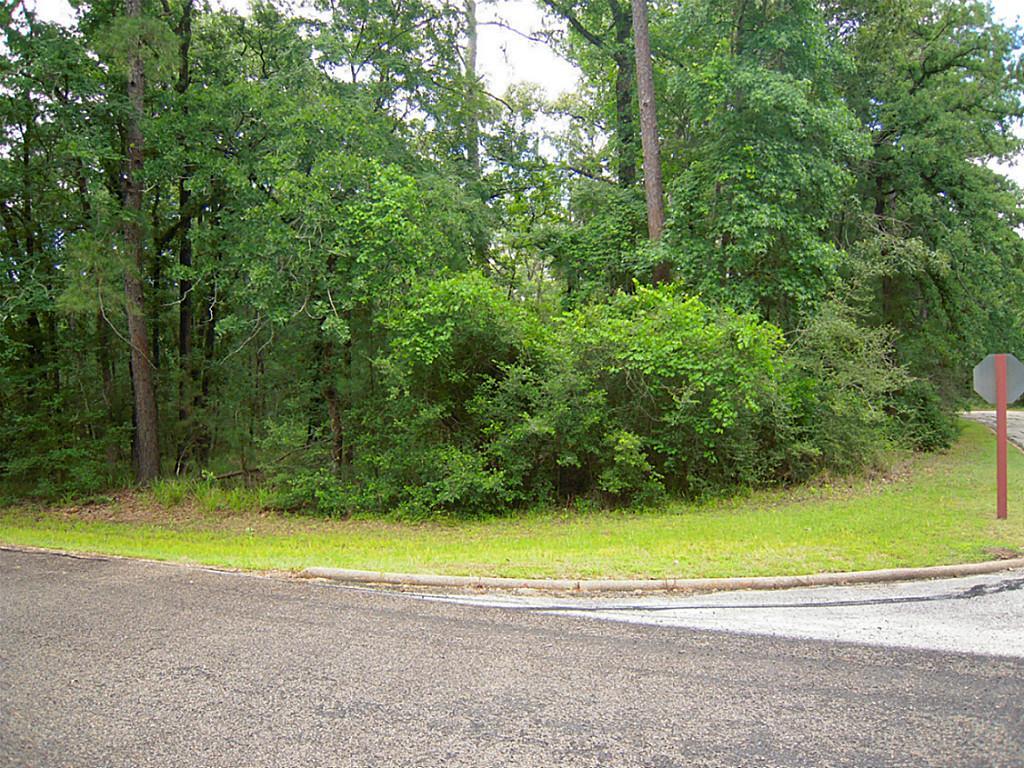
(974, 615)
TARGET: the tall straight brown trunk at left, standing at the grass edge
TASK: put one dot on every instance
(147, 438)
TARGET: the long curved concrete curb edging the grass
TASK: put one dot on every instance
(662, 585)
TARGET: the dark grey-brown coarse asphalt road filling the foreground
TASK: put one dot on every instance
(112, 663)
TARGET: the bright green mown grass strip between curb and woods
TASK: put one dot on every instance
(929, 510)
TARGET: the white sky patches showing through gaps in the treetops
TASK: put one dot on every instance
(506, 56)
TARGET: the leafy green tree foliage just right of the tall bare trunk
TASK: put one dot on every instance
(764, 156)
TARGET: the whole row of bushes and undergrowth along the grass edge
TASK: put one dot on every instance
(490, 407)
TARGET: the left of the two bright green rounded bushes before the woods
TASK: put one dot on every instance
(420, 451)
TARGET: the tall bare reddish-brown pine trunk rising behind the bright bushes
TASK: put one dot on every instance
(649, 134)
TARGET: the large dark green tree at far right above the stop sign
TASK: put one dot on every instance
(938, 87)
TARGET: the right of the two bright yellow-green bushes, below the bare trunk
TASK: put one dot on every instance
(687, 379)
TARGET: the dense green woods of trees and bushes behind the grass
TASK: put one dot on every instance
(309, 247)
